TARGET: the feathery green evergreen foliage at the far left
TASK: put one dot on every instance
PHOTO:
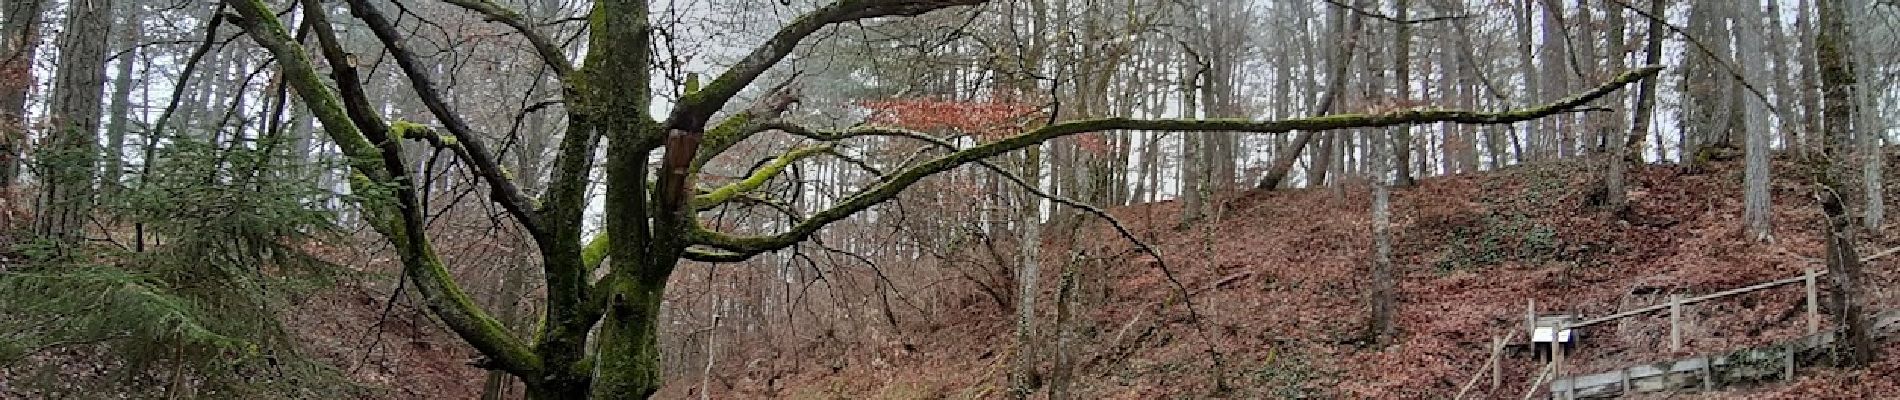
(199, 312)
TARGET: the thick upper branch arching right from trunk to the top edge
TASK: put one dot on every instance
(698, 107)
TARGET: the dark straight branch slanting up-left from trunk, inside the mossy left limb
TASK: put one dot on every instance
(503, 189)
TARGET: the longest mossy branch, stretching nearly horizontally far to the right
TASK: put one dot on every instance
(894, 185)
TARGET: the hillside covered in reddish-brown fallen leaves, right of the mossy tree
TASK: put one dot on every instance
(1280, 285)
